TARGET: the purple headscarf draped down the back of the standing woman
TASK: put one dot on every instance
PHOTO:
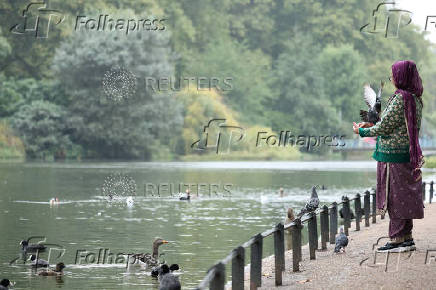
(408, 82)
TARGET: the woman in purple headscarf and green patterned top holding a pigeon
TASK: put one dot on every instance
(399, 156)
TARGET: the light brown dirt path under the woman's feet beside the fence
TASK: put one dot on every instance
(356, 268)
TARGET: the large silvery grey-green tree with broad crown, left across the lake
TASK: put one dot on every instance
(136, 126)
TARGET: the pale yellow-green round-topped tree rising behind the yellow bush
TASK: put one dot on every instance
(247, 70)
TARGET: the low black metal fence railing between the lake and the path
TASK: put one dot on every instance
(215, 278)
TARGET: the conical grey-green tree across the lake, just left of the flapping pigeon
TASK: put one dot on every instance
(299, 102)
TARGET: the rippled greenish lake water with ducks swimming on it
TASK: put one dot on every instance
(200, 232)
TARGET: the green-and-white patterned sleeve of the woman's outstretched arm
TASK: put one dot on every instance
(390, 119)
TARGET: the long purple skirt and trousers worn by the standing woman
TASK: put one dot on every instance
(400, 195)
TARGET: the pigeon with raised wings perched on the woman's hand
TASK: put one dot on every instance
(373, 101)
